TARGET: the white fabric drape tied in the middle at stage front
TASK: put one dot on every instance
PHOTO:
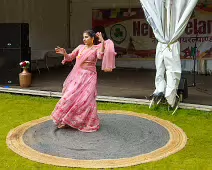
(168, 19)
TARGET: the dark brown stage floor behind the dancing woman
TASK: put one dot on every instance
(130, 83)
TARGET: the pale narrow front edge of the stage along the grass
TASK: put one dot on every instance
(100, 98)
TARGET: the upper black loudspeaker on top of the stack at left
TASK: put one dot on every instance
(14, 35)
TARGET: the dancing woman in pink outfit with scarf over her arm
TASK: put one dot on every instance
(77, 107)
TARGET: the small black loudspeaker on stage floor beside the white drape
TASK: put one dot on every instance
(183, 89)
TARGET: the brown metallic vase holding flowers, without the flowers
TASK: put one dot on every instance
(25, 78)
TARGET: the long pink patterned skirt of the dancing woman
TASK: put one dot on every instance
(77, 107)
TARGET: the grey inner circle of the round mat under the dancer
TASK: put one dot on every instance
(120, 136)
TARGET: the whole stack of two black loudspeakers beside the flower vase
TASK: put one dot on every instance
(14, 48)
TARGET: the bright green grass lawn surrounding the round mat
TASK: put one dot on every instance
(197, 155)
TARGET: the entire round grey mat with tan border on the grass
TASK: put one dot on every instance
(124, 139)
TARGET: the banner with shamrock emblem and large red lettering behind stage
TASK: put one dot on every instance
(133, 37)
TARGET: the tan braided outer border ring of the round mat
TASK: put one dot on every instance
(177, 142)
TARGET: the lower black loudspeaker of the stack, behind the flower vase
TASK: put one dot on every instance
(9, 64)
